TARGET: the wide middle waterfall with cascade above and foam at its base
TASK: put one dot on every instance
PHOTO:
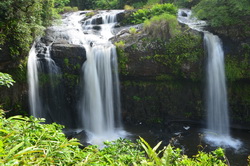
(100, 104)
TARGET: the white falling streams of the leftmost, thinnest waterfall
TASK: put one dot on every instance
(39, 106)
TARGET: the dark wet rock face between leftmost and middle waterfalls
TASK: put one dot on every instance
(62, 93)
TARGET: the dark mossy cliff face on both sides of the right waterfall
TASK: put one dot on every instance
(155, 93)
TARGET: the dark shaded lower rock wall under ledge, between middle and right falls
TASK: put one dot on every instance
(158, 102)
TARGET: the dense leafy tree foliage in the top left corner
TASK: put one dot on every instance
(21, 22)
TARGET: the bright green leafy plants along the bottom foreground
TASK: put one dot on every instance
(25, 141)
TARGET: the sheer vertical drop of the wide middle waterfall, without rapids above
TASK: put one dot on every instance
(98, 104)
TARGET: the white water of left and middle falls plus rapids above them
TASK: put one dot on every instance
(99, 104)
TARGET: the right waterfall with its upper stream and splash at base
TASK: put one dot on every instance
(217, 107)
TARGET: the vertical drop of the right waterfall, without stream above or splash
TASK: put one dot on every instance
(217, 107)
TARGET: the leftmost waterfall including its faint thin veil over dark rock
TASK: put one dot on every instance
(45, 91)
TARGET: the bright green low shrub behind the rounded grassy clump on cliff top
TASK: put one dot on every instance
(143, 14)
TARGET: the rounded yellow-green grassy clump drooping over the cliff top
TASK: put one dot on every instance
(162, 27)
